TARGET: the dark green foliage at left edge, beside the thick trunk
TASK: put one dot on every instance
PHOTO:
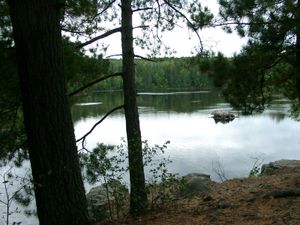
(12, 135)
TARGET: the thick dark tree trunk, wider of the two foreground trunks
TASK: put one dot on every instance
(59, 190)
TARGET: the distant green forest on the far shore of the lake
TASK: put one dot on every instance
(165, 73)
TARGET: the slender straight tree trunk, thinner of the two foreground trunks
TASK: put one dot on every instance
(138, 197)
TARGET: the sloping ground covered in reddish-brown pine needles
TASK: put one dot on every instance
(264, 200)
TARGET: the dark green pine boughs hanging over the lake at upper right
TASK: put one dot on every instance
(268, 64)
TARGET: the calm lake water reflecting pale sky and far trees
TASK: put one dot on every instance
(198, 144)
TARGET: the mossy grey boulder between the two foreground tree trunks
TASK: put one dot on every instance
(103, 200)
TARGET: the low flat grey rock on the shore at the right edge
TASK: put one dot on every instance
(280, 166)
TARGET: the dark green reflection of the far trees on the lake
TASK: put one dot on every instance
(181, 102)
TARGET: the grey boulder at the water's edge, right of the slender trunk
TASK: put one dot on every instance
(195, 183)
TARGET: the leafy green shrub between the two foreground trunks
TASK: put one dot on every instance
(105, 164)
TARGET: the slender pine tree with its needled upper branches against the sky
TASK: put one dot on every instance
(155, 16)
